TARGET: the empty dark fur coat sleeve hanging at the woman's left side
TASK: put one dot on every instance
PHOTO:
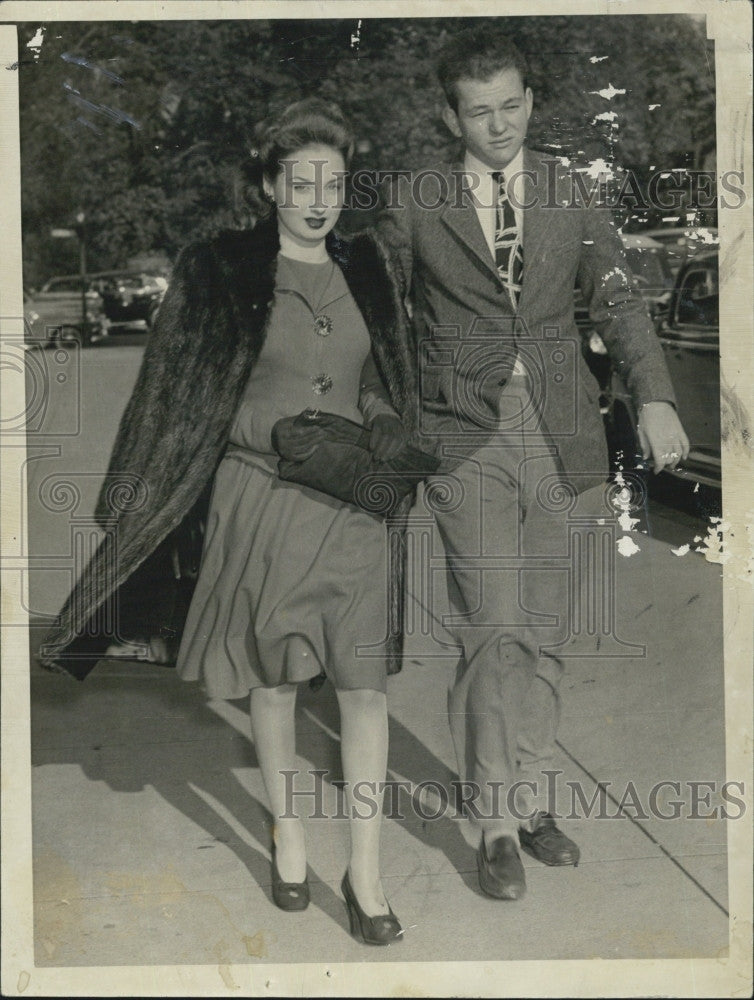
(157, 402)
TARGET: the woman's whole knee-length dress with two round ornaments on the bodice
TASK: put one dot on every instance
(292, 583)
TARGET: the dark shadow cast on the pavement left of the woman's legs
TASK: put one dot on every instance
(130, 733)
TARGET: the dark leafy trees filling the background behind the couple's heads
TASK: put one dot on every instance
(147, 126)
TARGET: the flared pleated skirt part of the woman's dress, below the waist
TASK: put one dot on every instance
(291, 584)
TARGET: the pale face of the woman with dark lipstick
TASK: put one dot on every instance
(308, 192)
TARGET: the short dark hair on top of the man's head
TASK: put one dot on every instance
(477, 53)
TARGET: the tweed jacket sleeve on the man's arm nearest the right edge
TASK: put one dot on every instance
(618, 311)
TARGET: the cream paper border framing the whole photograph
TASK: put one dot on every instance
(729, 24)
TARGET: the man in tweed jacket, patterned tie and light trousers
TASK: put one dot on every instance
(487, 252)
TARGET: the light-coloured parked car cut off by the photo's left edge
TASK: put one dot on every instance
(53, 314)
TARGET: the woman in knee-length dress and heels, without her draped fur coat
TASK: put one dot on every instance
(291, 581)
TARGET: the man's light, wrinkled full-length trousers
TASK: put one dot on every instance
(504, 703)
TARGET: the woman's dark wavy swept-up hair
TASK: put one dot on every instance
(309, 122)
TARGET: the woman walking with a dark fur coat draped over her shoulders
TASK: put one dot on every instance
(257, 327)
